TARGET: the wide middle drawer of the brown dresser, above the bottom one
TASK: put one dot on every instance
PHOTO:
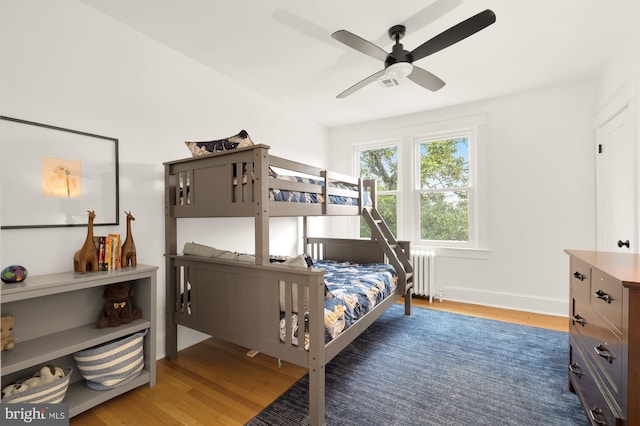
(601, 343)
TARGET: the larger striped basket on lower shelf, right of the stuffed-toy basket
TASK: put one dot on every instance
(113, 364)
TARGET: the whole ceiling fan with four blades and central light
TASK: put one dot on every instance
(399, 62)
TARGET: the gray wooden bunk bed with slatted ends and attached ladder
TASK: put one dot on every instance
(250, 303)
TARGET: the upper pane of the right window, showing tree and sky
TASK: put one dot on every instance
(444, 164)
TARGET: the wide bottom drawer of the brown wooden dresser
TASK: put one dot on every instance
(586, 387)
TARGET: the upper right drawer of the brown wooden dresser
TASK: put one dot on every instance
(606, 297)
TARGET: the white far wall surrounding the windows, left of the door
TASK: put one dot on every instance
(539, 194)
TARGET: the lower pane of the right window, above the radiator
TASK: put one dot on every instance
(444, 216)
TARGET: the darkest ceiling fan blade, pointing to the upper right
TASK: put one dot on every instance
(455, 34)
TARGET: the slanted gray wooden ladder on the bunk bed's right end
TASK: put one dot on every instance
(393, 250)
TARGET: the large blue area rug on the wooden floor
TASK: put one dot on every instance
(439, 368)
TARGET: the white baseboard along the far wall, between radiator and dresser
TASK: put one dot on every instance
(518, 302)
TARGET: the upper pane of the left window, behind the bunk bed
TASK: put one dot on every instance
(382, 165)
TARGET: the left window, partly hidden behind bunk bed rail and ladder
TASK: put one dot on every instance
(381, 164)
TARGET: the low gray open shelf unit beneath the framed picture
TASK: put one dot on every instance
(56, 316)
